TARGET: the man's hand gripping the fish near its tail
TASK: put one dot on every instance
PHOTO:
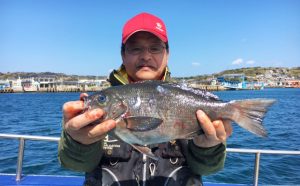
(215, 132)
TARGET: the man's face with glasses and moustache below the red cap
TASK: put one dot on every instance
(145, 57)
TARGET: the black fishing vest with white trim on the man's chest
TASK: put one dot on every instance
(122, 165)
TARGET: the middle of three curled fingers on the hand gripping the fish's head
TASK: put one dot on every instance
(84, 119)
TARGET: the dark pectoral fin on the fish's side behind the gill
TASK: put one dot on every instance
(142, 123)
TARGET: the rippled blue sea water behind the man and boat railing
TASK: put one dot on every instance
(40, 114)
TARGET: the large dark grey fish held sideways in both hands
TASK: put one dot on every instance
(152, 112)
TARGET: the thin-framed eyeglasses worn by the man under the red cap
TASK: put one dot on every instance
(136, 50)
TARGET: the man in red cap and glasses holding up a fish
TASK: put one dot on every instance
(107, 161)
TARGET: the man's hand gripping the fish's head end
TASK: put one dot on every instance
(76, 123)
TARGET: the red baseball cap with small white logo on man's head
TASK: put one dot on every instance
(145, 22)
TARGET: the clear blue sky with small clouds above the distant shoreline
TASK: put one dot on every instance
(205, 36)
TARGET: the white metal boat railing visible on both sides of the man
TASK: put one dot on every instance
(257, 152)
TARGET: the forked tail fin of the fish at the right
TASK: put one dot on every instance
(249, 114)
